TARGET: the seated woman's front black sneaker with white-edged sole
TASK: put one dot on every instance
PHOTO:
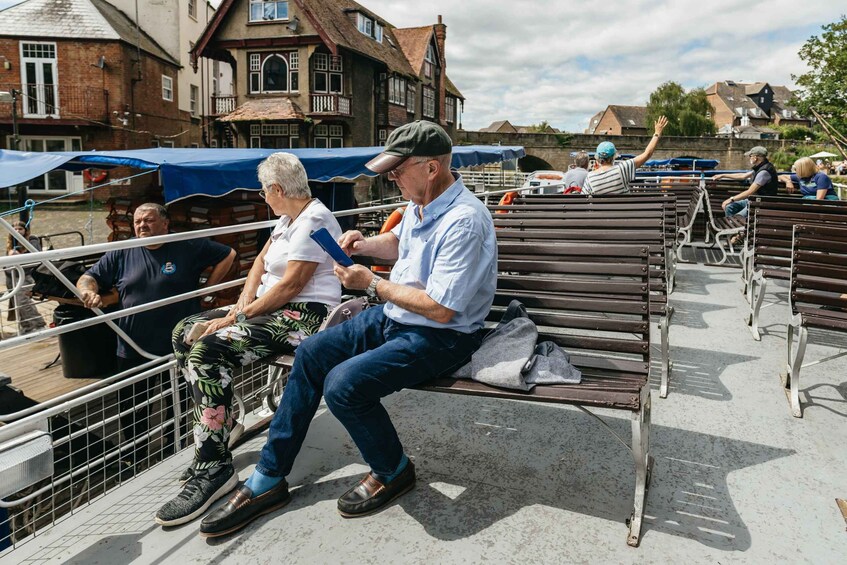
(199, 493)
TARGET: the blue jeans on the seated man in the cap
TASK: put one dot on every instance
(353, 365)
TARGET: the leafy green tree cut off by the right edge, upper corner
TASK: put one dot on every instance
(824, 87)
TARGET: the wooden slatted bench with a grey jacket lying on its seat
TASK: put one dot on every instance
(568, 290)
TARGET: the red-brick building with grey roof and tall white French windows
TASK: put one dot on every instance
(87, 79)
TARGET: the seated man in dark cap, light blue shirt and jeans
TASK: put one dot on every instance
(439, 292)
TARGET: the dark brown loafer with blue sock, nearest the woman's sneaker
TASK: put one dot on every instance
(242, 508)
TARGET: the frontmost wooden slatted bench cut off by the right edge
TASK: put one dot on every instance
(818, 296)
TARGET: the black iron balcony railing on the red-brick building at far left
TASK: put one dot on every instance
(57, 101)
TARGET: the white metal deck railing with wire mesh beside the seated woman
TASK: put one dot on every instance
(95, 429)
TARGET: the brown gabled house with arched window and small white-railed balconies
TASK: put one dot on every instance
(324, 73)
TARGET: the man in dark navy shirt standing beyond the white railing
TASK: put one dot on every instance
(144, 274)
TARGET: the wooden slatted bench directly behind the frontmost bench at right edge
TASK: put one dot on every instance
(771, 243)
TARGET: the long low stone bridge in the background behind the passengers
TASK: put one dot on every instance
(552, 151)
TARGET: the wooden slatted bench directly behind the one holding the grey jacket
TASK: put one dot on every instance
(603, 224)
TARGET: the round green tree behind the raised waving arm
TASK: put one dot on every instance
(688, 113)
